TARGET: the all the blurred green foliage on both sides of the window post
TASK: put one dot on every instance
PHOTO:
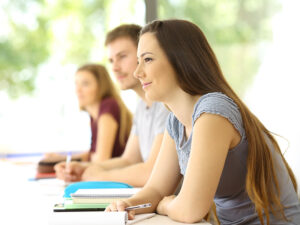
(37, 32)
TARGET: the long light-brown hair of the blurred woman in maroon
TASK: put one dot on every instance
(106, 88)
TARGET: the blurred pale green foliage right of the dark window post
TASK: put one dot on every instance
(233, 28)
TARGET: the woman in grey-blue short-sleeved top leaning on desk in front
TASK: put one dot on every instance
(229, 161)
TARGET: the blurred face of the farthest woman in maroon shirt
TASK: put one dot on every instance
(86, 88)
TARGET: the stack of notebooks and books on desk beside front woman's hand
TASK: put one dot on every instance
(80, 206)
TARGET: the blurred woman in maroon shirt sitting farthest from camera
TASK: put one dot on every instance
(110, 119)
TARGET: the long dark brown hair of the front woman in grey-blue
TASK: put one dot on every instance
(198, 73)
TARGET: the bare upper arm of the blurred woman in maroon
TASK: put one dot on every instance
(106, 137)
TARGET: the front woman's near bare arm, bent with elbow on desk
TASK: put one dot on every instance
(213, 136)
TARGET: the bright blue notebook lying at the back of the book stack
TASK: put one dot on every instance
(72, 188)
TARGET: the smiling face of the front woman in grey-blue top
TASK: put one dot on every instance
(154, 70)
